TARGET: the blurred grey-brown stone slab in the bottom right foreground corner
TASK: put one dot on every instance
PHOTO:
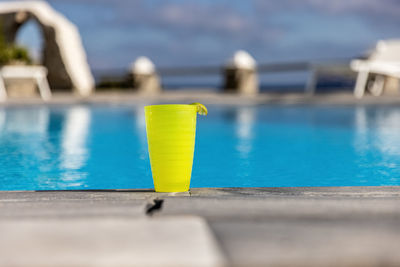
(309, 242)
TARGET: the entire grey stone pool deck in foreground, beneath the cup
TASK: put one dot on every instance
(311, 226)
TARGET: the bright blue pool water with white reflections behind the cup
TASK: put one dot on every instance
(104, 147)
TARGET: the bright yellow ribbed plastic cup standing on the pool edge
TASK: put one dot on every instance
(171, 131)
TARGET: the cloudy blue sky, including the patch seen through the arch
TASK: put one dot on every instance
(192, 33)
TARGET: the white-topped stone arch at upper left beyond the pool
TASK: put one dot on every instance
(63, 52)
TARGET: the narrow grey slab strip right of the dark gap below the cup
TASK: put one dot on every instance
(279, 208)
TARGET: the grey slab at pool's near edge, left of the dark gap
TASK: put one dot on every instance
(91, 203)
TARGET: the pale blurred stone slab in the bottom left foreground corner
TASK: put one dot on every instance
(177, 241)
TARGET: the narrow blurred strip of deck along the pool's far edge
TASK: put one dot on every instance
(207, 97)
